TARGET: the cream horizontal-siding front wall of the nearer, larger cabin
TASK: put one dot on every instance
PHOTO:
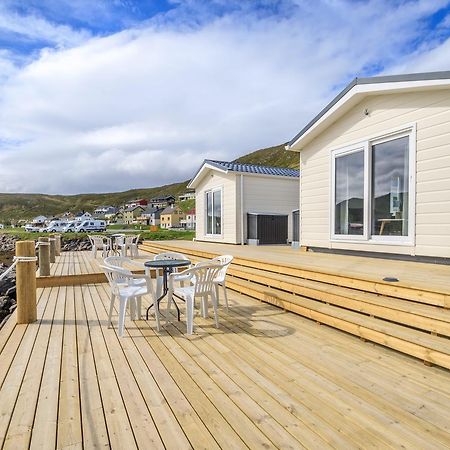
(430, 111)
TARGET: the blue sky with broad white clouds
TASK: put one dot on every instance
(110, 95)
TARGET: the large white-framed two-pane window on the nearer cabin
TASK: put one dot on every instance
(373, 190)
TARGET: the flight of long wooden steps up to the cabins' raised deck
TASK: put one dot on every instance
(389, 321)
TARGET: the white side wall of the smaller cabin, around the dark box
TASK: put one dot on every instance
(270, 194)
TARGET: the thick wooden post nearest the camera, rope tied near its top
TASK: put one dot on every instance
(26, 283)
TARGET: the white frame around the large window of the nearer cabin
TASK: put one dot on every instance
(365, 145)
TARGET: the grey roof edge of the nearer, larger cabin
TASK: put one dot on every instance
(371, 80)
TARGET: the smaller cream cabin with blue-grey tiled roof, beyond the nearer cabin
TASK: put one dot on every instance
(229, 196)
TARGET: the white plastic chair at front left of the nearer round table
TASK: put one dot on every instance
(129, 289)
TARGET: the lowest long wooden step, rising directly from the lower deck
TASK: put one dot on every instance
(432, 349)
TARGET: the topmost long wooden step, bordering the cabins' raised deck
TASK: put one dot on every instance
(376, 287)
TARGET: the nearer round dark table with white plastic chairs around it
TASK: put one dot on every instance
(176, 277)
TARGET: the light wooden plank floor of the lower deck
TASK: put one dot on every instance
(265, 379)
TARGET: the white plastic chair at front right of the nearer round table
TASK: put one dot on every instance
(201, 278)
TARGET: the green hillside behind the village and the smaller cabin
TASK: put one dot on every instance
(27, 206)
